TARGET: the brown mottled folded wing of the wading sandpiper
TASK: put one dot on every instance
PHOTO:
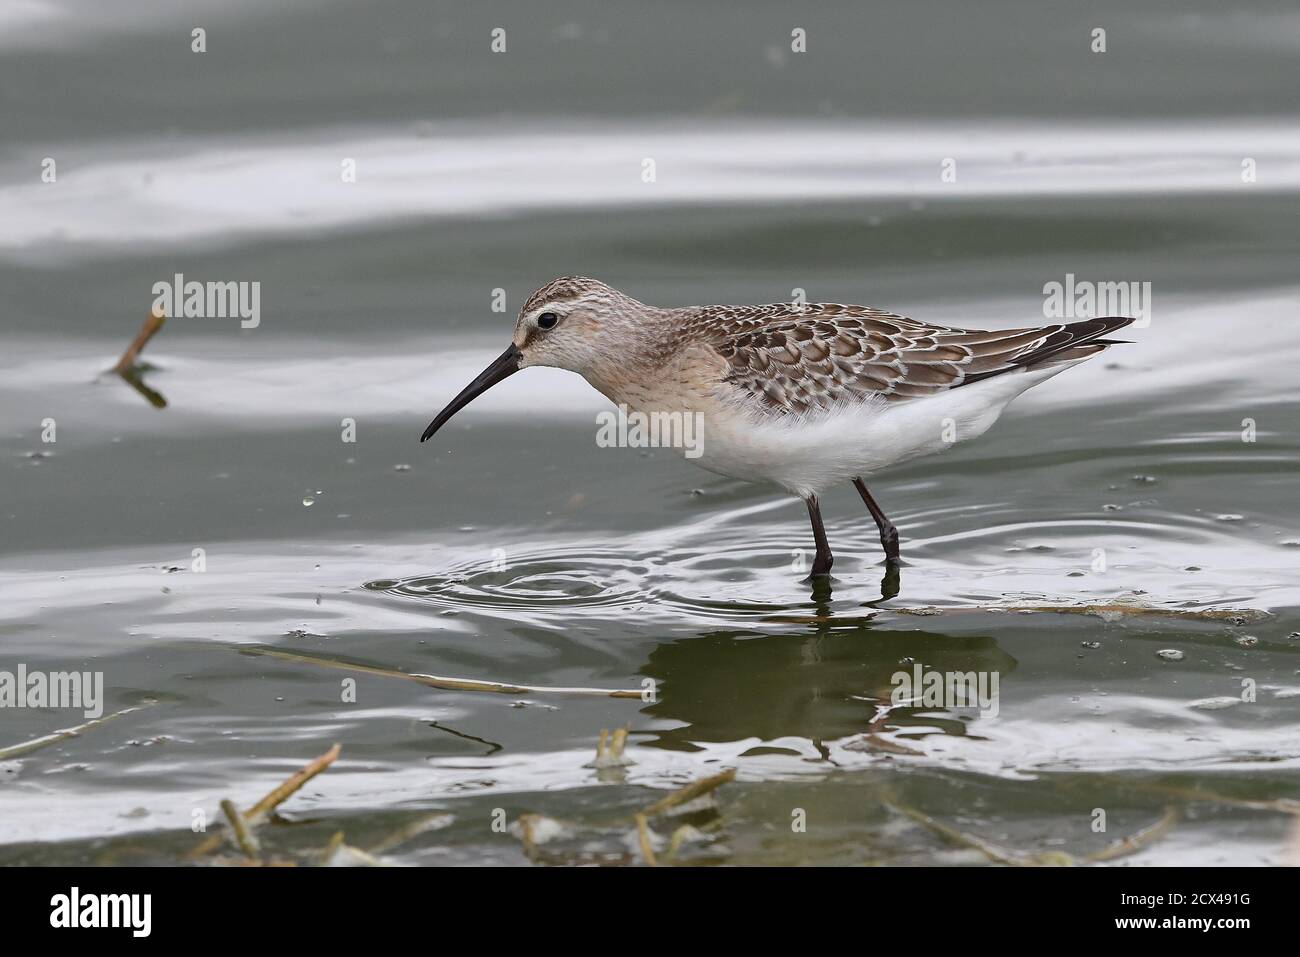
(818, 357)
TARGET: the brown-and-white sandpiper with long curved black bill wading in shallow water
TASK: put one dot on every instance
(800, 395)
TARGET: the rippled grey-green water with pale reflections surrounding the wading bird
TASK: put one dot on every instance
(1113, 551)
